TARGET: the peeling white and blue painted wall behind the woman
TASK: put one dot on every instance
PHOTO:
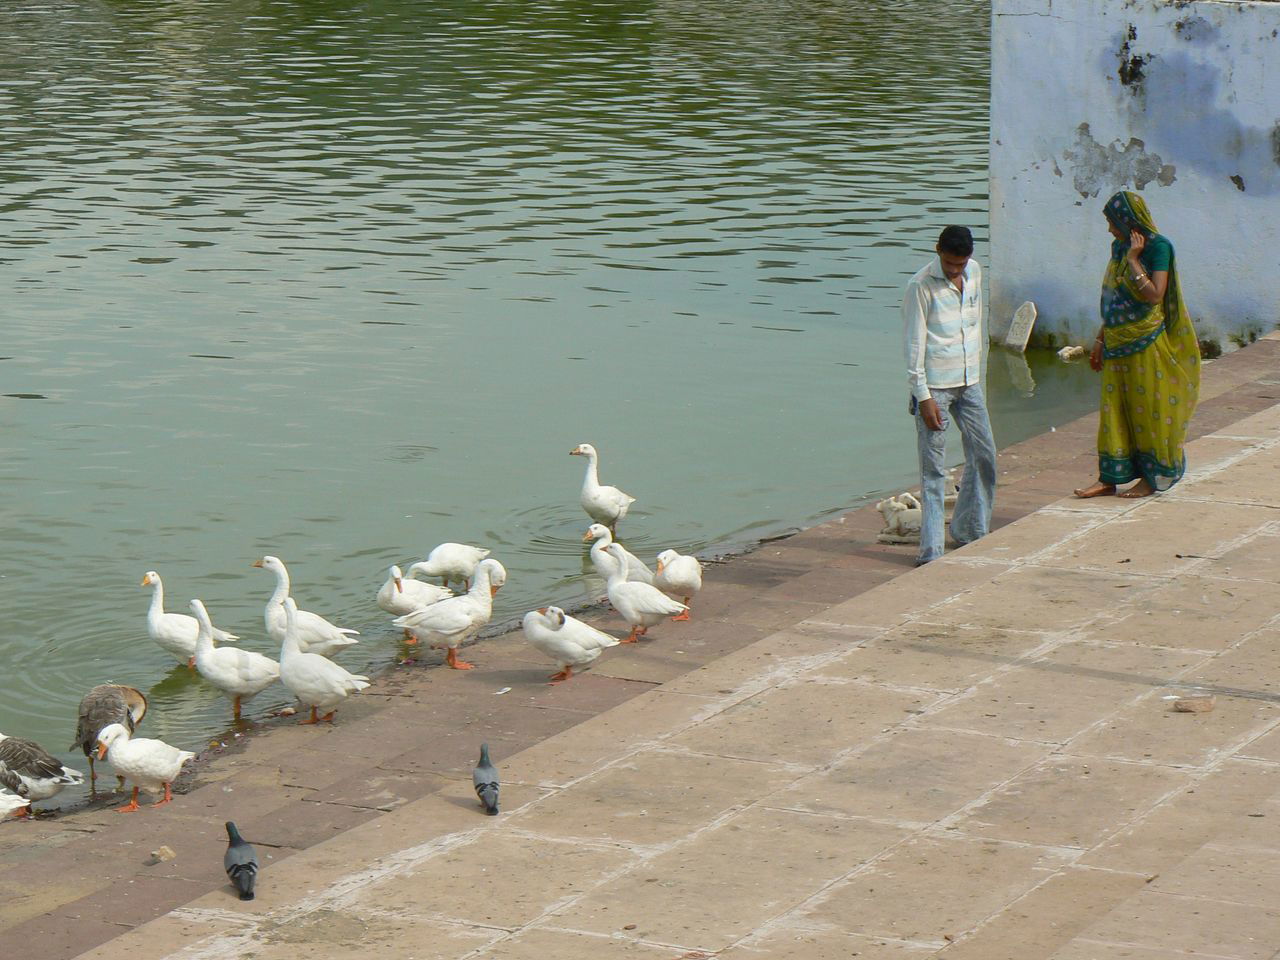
(1194, 125)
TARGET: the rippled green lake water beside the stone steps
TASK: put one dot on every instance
(339, 284)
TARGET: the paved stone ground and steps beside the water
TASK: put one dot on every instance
(840, 757)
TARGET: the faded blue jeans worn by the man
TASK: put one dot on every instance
(972, 515)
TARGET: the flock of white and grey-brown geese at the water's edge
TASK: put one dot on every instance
(111, 714)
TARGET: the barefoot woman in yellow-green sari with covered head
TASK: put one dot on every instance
(1149, 356)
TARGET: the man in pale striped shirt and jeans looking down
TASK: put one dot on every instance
(943, 326)
